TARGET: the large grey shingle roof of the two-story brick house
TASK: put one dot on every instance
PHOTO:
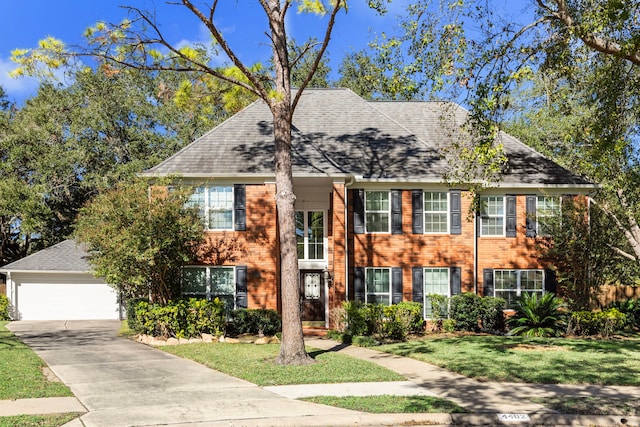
(337, 133)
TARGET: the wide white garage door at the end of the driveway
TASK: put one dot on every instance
(66, 301)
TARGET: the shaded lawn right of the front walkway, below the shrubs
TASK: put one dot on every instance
(515, 359)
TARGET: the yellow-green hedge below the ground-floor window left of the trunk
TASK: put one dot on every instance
(181, 318)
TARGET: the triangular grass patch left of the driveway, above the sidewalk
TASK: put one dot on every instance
(21, 374)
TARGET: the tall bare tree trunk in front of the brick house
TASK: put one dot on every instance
(292, 350)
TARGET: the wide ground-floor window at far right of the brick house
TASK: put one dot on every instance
(511, 284)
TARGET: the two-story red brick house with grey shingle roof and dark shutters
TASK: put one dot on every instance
(376, 222)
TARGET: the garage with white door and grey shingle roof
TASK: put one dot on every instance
(56, 284)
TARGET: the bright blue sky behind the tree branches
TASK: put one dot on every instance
(27, 21)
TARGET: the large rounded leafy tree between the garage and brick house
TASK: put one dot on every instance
(140, 238)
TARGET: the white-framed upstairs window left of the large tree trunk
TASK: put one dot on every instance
(215, 205)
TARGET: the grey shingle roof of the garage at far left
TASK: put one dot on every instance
(68, 256)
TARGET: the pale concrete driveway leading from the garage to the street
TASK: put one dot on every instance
(123, 383)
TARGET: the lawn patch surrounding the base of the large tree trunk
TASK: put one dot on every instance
(254, 363)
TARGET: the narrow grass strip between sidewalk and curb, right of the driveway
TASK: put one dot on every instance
(390, 404)
